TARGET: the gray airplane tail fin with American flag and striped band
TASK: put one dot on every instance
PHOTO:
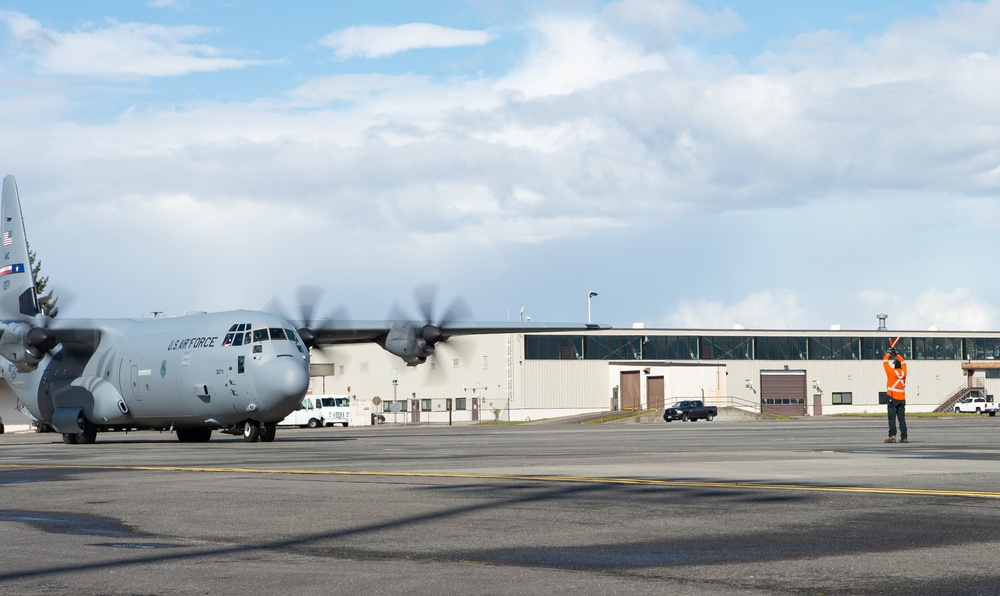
(17, 283)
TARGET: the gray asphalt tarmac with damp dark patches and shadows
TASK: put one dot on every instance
(808, 506)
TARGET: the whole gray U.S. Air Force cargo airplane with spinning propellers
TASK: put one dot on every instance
(238, 372)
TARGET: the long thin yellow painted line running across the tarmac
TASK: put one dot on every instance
(536, 478)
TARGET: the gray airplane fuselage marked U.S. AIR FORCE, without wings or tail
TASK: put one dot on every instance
(197, 371)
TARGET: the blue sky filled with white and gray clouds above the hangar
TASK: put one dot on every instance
(704, 163)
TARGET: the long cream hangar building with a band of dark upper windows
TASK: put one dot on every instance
(520, 377)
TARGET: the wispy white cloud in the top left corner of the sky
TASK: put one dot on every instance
(117, 50)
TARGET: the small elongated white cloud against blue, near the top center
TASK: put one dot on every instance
(370, 41)
